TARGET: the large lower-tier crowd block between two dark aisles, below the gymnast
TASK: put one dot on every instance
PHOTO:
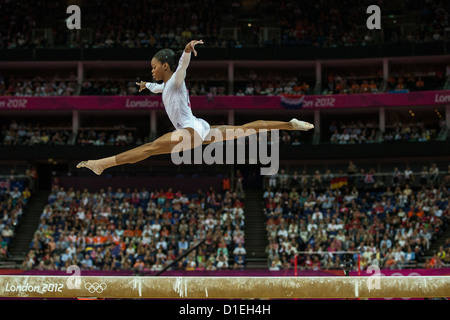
(139, 230)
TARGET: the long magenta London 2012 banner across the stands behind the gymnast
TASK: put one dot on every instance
(431, 98)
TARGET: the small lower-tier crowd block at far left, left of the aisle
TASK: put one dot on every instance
(13, 201)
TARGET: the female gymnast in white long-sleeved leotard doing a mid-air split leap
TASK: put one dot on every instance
(171, 69)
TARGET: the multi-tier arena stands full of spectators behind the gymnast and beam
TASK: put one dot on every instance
(392, 210)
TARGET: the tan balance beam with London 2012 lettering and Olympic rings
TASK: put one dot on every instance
(224, 287)
